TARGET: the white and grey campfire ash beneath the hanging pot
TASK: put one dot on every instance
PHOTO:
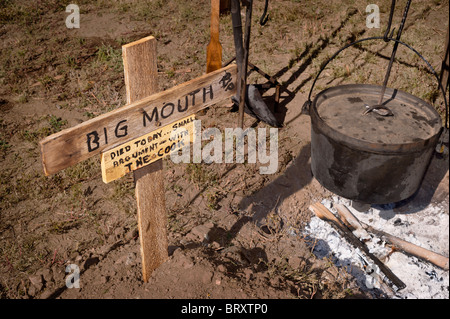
(427, 228)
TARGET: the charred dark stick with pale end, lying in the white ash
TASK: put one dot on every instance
(323, 213)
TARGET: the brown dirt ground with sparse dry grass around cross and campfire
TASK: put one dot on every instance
(233, 232)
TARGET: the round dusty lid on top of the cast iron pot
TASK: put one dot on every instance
(342, 108)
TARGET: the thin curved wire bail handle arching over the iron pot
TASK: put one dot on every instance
(306, 106)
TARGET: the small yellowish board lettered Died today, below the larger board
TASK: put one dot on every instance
(146, 149)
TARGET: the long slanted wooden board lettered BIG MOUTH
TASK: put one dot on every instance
(73, 145)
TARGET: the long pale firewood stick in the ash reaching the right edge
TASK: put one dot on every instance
(400, 244)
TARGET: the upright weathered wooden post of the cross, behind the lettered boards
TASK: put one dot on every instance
(141, 80)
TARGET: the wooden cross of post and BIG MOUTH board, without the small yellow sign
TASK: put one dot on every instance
(145, 112)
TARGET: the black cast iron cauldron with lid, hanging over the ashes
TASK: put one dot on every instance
(371, 158)
